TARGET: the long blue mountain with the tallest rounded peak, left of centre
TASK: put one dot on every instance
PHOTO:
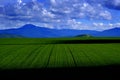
(32, 31)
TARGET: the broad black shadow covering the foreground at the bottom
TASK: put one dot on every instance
(76, 73)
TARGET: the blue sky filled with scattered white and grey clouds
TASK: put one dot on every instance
(60, 14)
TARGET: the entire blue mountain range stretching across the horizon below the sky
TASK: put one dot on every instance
(32, 31)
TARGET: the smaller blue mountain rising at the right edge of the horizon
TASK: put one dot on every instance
(115, 32)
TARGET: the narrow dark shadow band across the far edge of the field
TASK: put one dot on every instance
(87, 41)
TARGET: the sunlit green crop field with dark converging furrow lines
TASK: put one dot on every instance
(55, 53)
